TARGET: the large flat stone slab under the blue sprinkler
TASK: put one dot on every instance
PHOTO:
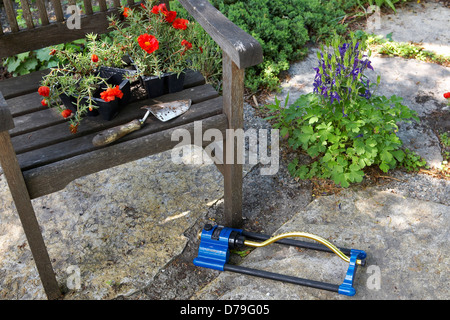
(406, 241)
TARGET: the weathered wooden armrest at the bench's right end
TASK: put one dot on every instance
(244, 50)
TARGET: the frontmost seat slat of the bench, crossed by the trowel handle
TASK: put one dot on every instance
(83, 144)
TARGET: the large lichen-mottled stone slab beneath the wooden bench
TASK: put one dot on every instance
(112, 230)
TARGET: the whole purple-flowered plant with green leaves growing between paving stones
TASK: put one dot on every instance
(343, 125)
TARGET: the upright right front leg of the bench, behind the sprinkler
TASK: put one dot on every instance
(233, 106)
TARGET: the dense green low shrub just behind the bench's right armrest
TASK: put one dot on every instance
(283, 27)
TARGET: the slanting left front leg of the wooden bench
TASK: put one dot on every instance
(27, 216)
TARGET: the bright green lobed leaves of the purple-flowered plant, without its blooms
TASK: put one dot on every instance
(341, 145)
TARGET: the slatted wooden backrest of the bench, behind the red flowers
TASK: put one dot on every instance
(59, 23)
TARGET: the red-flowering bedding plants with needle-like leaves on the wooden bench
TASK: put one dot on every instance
(157, 41)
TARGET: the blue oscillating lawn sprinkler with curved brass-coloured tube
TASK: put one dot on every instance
(217, 241)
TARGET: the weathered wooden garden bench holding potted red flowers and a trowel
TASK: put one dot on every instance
(39, 155)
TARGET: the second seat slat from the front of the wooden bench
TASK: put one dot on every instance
(60, 132)
